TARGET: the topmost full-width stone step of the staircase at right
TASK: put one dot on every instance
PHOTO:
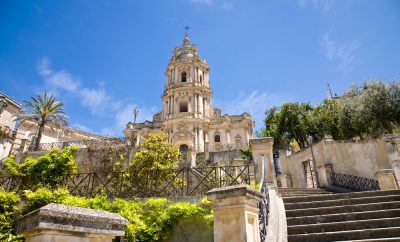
(340, 196)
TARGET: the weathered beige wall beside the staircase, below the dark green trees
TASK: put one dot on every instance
(361, 158)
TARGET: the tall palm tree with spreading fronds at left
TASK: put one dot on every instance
(44, 111)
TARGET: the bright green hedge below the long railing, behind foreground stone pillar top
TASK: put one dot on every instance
(150, 220)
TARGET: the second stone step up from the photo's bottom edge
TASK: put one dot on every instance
(343, 226)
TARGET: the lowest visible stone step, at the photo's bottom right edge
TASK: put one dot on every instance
(362, 234)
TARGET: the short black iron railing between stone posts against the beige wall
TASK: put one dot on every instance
(355, 183)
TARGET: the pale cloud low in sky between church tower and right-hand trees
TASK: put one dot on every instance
(255, 103)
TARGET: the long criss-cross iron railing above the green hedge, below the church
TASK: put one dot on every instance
(178, 182)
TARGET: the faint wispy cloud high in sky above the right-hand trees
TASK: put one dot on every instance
(345, 53)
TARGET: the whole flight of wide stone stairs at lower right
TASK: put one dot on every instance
(317, 215)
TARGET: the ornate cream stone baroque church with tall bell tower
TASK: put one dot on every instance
(188, 116)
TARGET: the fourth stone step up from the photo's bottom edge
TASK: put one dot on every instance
(342, 209)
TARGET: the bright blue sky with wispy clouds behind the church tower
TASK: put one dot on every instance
(102, 58)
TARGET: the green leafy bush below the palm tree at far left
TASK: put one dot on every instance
(49, 169)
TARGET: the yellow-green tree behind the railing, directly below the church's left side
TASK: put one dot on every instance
(156, 159)
